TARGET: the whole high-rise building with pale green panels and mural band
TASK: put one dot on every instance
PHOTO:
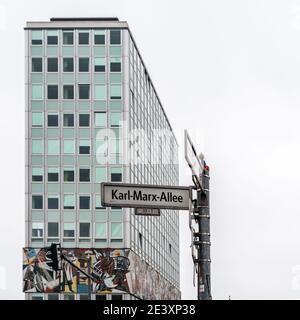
(93, 115)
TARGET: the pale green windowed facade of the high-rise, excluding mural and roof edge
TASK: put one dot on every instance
(87, 91)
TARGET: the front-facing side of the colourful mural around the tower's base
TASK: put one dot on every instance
(107, 268)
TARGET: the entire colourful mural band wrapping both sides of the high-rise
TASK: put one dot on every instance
(111, 271)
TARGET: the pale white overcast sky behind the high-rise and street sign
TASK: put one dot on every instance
(229, 72)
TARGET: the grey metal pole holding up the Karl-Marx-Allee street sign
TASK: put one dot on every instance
(203, 218)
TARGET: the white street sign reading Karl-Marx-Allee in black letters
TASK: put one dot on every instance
(145, 196)
